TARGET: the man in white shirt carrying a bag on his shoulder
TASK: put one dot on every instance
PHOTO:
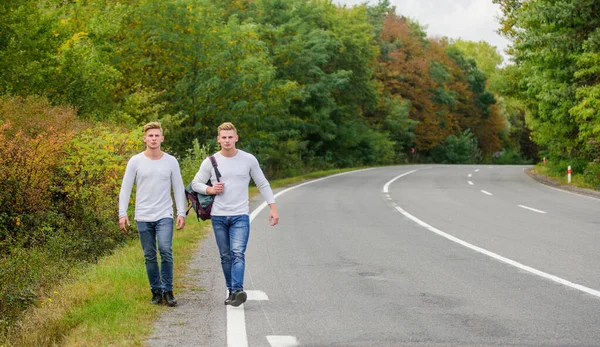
(230, 211)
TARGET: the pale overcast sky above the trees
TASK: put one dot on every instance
(473, 20)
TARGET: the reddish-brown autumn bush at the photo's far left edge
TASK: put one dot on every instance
(32, 134)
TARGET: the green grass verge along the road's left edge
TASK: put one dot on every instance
(107, 304)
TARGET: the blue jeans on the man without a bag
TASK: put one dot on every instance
(161, 280)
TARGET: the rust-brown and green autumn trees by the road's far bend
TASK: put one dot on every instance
(446, 90)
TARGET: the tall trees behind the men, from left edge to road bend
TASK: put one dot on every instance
(311, 85)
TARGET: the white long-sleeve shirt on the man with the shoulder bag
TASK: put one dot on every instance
(235, 174)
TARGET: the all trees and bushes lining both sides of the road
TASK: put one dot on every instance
(310, 85)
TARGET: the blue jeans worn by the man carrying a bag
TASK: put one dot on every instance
(231, 233)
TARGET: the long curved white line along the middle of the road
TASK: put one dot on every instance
(490, 254)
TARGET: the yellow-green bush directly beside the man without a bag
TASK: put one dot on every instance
(87, 184)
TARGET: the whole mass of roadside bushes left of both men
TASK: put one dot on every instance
(59, 188)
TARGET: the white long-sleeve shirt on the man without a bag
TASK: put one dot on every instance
(153, 179)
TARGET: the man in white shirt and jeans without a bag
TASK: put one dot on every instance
(154, 172)
